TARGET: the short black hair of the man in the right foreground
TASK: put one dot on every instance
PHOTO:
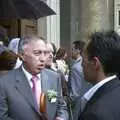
(105, 46)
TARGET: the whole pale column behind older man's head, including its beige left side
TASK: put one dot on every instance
(49, 27)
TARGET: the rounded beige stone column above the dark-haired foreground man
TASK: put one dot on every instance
(95, 15)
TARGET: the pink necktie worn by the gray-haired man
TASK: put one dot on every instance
(36, 88)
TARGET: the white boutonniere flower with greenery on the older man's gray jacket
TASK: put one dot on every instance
(52, 95)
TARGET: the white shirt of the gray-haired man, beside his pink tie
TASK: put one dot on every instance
(38, 84)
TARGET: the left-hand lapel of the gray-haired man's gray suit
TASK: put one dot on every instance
(24, 88)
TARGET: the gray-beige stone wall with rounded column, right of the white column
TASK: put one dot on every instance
(81, 17)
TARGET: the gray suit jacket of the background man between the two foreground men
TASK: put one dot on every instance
(76, 84)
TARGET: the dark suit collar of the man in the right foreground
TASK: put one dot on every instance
(106, 88)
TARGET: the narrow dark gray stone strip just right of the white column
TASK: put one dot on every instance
(64, 22)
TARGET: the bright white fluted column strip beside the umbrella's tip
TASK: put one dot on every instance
(53, 23)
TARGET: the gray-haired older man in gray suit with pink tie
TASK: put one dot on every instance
(21, 89)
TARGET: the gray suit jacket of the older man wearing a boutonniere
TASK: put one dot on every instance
(17, 101)
